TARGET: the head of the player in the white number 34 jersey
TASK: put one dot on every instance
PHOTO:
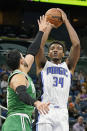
(56, 50)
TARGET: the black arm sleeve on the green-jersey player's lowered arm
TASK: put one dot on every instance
(21, 91)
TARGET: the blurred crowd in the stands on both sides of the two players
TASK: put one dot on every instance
(77, 101)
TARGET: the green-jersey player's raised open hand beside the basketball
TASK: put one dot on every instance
(43, 24)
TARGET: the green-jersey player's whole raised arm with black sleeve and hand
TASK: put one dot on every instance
(33, 49)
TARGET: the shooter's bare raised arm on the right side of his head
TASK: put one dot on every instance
(75, 48)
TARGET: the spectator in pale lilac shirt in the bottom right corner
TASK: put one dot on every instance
(79, 126)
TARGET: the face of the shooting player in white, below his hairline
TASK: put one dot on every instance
(56, 51)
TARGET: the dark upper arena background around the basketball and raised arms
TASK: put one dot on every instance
(25, 14)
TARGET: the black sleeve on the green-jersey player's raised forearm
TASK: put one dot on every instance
(34, 47)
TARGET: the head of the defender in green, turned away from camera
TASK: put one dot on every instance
(15, 59)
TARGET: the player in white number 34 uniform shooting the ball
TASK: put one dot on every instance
(56, 78)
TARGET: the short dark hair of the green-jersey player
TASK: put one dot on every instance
(13, 59)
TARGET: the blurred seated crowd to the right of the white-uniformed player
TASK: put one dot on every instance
(77, 102)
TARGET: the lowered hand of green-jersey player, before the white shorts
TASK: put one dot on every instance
(42, 107)
